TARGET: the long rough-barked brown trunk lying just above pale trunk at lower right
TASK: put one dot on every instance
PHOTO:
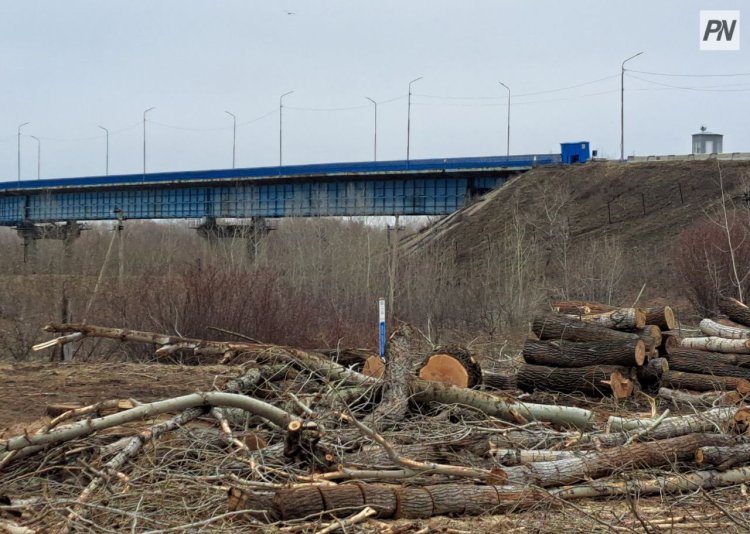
(605, 462)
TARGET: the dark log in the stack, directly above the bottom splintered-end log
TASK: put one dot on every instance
(560, 353)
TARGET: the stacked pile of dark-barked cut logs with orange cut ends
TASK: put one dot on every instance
(595, 349)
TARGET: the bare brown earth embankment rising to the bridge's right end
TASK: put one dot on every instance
(644, 206)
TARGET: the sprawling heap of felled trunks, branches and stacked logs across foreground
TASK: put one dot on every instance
(296, 440)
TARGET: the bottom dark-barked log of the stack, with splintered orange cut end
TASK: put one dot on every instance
(599, 380)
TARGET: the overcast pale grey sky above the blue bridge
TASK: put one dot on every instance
(69, 66)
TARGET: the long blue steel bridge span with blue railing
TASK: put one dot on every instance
(416, 187)
